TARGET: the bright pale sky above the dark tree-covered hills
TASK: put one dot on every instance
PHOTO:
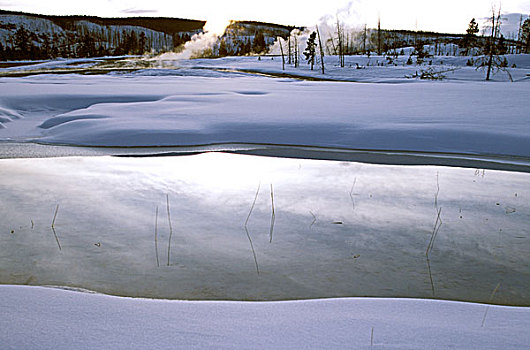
(450, 16)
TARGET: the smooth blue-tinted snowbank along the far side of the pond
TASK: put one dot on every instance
(143, 109)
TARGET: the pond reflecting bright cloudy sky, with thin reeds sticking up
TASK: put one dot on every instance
(317, 228)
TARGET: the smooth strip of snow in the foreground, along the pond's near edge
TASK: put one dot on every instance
(61, 319)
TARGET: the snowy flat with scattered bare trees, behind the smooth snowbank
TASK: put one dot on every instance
(374, 69)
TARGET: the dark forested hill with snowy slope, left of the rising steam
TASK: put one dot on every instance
(34, 36)
